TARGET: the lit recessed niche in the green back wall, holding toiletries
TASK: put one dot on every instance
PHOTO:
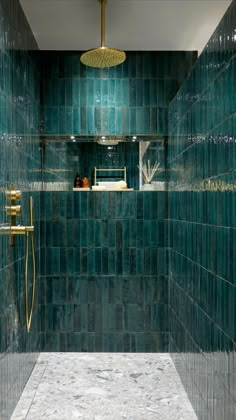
(62, 159)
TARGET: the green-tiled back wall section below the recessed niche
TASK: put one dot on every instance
(104, 284)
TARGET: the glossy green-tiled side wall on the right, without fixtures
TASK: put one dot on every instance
(202, 198)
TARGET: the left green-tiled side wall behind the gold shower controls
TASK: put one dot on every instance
(19, 166)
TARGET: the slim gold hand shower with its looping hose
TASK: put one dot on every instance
(29, 314)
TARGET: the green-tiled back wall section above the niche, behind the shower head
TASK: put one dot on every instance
(131, 98)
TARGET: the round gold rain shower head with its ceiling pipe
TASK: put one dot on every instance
(103, 57)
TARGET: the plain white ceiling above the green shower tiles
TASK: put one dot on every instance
(130, 24)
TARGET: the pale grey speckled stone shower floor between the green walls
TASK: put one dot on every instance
(104, 386)
